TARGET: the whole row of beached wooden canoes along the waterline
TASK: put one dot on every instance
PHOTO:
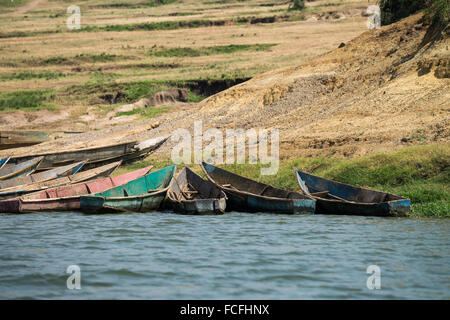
(94, 191)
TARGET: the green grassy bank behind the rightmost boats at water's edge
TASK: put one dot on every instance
(420, 173)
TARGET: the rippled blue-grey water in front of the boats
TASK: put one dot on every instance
(234, 256)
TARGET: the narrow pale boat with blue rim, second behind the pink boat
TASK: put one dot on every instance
(42, 176)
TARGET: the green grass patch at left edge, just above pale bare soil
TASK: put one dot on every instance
(26, 100)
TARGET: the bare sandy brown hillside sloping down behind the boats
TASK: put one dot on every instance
(385, 89)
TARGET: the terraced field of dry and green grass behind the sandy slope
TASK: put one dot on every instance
(135, 48)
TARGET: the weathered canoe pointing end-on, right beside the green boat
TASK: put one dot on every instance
(190, 194)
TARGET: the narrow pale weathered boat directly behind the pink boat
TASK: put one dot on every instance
(103, 171)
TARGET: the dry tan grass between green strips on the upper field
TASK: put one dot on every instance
(42, 40)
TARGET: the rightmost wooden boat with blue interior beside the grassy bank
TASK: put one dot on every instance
(340, 198)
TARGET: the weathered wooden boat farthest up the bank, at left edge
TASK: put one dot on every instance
(17, 139)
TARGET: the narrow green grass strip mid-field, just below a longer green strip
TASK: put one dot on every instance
(206, 51)
